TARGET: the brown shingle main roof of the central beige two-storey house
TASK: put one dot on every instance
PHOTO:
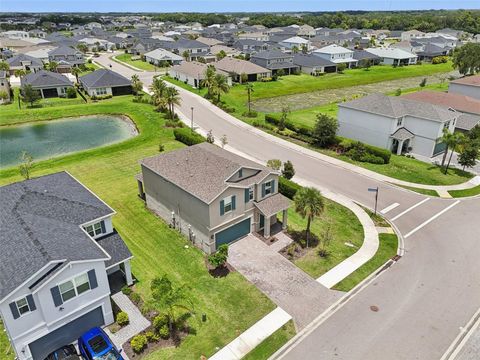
(203, 170)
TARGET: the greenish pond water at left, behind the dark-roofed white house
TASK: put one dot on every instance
(59, 137)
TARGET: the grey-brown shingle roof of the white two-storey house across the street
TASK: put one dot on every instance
(396, 107)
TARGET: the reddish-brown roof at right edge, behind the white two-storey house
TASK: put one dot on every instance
(448, 100)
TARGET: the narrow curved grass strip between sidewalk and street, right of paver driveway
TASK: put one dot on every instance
(387, 250)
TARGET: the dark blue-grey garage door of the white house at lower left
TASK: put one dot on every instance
(66, 334)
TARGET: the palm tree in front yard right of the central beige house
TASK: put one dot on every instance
(309, 204)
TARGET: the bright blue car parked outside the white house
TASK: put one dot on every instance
(95, 345)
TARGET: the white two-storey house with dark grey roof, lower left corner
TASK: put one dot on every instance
(58, 249)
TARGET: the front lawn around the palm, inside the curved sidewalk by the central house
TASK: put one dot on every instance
(346, 229)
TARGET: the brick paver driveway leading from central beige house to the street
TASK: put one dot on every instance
(284, 283)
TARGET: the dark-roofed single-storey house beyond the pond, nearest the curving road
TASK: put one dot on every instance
(105, 82)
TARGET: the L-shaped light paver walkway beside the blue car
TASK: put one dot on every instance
(137, 323)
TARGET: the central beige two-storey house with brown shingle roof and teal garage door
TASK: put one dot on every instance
(212, 195)
